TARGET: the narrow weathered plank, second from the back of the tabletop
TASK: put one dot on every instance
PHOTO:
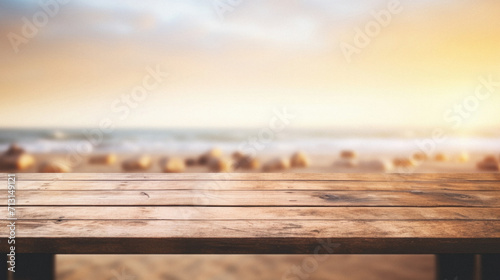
(252, 185)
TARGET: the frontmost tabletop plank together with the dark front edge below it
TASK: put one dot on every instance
(271, 237)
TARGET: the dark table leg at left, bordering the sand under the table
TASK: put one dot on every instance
(34, 266)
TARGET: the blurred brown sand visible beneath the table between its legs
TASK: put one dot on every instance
(242, 267)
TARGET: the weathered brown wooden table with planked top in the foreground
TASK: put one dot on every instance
(453, 215)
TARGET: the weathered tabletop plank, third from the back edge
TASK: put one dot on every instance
(259, 198)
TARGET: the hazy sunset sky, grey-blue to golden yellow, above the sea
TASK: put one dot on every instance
(230, 64)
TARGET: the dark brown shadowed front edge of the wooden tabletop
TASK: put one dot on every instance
(273, 245)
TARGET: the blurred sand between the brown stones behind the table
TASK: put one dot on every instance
(318, 163)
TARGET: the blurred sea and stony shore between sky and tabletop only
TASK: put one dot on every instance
(80, 150)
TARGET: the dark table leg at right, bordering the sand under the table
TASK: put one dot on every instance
(455, 267)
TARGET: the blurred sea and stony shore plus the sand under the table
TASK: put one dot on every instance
(323, 151)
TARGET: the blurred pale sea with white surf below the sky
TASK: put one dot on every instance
(263, 141)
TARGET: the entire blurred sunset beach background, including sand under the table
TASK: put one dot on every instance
(249, 86)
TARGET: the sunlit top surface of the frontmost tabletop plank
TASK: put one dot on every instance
(256, 229)
